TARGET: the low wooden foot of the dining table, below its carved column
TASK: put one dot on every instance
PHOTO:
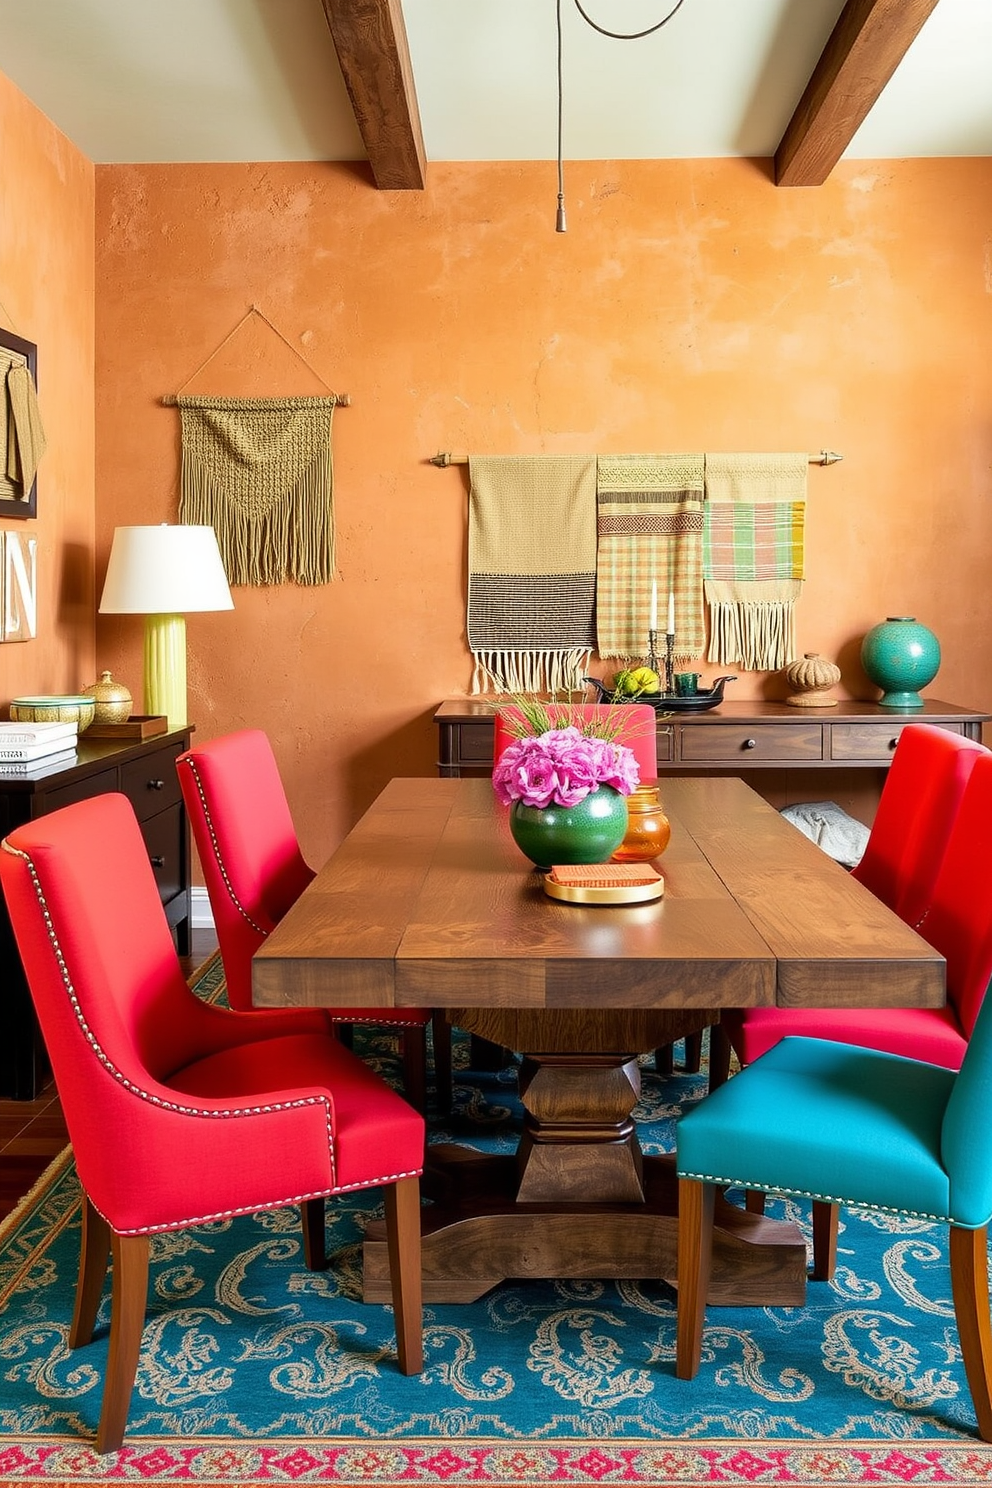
(478, 1236)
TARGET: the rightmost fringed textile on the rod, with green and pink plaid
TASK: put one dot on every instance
(755, 557)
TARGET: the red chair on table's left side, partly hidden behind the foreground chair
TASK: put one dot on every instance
(255, 873)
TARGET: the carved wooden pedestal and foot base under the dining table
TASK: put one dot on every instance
(579, 1200)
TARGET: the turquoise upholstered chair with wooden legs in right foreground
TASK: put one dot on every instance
(840, 1124)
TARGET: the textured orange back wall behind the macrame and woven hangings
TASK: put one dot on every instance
(691, 306)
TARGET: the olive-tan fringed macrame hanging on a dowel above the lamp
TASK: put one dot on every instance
(260, 472)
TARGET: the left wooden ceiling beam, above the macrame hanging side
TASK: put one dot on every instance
(373, 48)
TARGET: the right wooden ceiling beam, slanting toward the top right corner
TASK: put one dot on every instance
(866, 47)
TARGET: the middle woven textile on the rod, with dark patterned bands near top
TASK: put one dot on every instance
(651, 522)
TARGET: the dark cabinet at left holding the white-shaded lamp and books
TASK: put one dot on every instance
(145, 773)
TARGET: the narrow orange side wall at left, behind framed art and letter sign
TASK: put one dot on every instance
(47, 295)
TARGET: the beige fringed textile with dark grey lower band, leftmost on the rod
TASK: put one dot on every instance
(532, 572)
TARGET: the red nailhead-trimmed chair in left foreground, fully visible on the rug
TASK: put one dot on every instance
(181, 1112)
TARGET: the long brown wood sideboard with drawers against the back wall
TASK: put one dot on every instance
(786, 754)
